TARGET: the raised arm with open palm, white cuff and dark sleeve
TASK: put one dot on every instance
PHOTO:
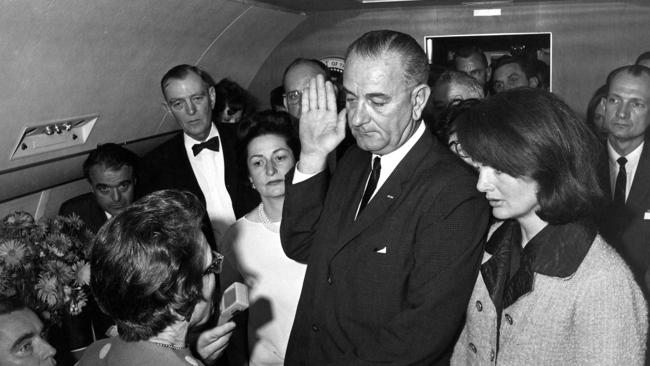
(321, 130)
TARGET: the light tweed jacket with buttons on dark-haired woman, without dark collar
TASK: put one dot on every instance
(594, 316)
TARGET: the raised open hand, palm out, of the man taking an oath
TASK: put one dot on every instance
(321, 127)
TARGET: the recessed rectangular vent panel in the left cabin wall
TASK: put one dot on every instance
(54, 135)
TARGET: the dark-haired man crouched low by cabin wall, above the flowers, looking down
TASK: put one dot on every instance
(111, 171)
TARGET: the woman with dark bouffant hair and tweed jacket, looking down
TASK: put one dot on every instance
(550, 291)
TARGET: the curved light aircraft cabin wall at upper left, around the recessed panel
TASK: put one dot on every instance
(62, 59)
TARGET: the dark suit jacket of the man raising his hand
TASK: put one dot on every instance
(360, 306)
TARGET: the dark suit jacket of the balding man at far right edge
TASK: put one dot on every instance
(627, 228)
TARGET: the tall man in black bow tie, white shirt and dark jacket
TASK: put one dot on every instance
(202, 160)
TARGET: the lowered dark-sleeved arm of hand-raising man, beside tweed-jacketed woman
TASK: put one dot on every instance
(448, 249)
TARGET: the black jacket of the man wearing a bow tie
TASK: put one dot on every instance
(167, 167)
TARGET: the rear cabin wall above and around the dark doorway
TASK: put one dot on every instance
(589, 38)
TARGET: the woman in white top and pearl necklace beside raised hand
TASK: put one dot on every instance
(252, 247)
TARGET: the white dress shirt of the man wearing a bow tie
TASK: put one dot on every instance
(209, 169)
